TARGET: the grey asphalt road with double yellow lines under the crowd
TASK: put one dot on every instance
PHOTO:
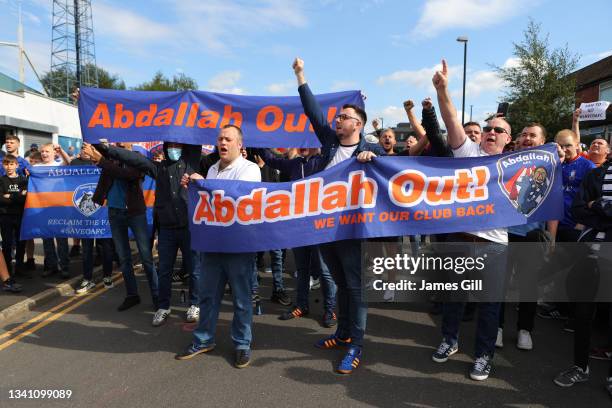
(117, 359)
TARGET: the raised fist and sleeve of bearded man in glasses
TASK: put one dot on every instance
(311, 106)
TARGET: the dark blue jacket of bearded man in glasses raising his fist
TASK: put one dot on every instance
(325, 133)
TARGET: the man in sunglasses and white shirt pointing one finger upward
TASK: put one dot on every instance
(494, 137)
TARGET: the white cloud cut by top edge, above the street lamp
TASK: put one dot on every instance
(440, 15)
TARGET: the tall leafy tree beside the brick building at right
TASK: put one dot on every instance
(540, 88)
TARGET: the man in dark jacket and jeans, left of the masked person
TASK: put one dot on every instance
(120, 187)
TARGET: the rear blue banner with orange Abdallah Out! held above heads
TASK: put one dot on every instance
(196, 116)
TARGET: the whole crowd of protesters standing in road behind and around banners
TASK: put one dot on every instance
(587, 191)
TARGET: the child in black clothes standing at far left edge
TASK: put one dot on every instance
(13, 190)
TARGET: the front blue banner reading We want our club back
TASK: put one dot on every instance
(390, 196)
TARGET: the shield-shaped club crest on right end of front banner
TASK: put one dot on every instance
(526, 178)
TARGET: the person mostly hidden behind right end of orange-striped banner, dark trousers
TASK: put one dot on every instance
(105, 245)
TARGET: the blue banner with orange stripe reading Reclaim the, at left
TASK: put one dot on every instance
(59, 204)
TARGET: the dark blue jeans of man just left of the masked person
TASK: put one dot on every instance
(120, 222)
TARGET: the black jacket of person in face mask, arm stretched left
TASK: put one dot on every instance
(170, 197)
